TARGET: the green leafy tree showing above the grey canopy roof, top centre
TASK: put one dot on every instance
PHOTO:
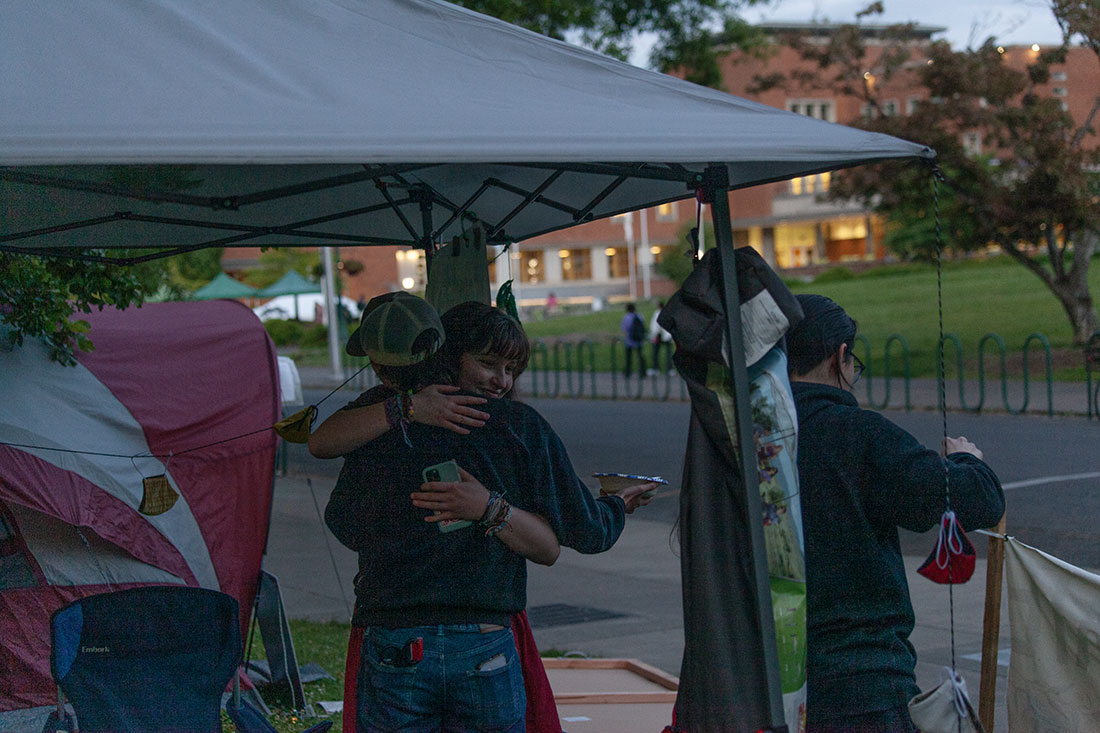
(687, 31)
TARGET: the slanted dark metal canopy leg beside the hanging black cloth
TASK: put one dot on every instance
(717, 185)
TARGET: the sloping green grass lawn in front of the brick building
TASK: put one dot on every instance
(981, 297)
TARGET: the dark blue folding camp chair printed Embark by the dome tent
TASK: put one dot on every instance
(152, 659)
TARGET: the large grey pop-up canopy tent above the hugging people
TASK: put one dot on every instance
(345, 123)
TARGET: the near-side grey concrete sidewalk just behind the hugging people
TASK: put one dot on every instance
(639, 581)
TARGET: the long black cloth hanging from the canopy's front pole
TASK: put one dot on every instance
(727, 652)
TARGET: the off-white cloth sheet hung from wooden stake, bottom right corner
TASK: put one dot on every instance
(1054, 672)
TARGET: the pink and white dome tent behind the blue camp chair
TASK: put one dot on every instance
(184, 390)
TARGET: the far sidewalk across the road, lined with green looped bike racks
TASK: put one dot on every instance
(1065, 398)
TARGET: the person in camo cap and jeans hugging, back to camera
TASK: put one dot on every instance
(437, 652)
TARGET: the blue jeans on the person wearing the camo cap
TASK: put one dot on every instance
(467, 681)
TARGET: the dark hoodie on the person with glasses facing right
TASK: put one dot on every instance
(862, 477)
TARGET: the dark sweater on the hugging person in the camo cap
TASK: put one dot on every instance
(410, 573)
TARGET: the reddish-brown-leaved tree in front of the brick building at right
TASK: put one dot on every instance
(1036, 190)
